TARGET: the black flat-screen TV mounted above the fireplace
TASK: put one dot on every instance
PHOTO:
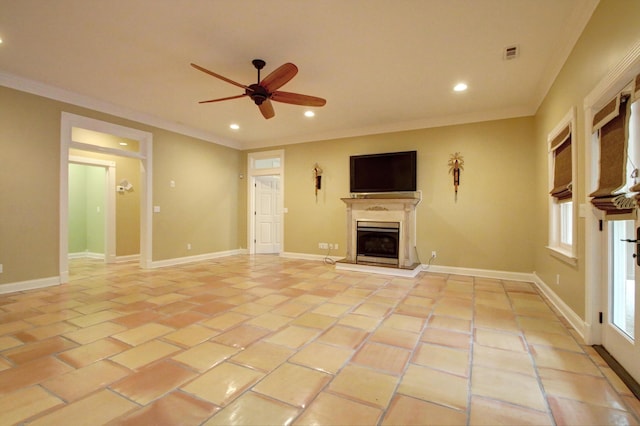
(388, 172)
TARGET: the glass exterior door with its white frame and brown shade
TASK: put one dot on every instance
(611, 261)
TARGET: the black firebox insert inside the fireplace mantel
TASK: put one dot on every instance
(377, 242)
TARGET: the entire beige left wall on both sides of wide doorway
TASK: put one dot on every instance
(195, 211)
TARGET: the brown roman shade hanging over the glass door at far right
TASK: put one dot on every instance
(612, 126)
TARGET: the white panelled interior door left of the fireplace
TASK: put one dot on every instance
(267, 214)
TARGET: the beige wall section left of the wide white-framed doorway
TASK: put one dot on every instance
(29, 181)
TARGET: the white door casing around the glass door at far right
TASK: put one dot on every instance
(595, 275)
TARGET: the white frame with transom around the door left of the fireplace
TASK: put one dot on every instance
(253, 172)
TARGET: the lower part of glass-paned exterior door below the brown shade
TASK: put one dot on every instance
(621, 332)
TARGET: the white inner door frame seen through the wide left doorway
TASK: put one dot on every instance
(110, 202)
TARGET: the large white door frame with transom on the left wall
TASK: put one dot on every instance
(145, 140)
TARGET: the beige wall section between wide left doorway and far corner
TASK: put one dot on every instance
(202, 208)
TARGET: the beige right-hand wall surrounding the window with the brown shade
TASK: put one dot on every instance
(611, 33)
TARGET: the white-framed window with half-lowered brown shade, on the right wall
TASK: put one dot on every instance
(561, 192)
